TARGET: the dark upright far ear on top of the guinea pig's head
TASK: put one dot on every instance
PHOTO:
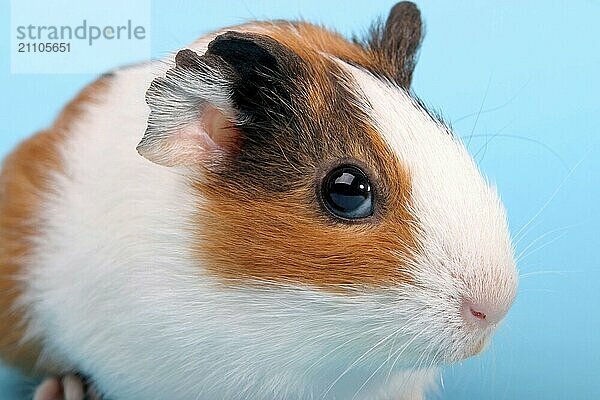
(395, 44)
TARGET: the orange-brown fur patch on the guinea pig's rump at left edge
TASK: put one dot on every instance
(23, 181)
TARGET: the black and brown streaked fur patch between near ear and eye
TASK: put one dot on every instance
(294, 117)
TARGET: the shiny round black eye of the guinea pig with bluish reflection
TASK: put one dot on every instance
(346, 192)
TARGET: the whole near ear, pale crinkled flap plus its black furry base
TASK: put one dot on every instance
(199, 109)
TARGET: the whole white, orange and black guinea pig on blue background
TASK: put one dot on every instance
(270, 213)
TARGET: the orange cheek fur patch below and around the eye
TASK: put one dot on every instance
(286, 237)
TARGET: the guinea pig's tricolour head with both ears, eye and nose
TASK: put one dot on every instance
(318, 172)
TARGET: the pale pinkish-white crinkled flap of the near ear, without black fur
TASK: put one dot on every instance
(191, 119)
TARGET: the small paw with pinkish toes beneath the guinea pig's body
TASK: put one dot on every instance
(69, 387)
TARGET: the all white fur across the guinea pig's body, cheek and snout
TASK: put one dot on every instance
(115, 291)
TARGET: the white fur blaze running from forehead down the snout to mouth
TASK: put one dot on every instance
(467, 252)
